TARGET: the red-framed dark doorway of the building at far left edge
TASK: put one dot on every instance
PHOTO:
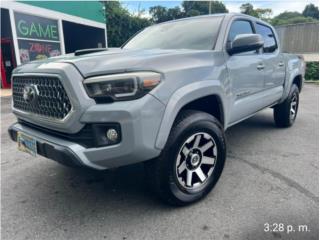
(7, 62)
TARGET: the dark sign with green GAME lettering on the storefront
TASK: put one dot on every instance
(33, 27)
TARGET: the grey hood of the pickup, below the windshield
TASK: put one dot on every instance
(122, 60)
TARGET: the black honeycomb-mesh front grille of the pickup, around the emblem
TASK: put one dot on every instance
(51, 100)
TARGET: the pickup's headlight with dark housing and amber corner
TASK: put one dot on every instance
(120, 87)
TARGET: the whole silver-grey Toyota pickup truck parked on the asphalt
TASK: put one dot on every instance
(166, 97)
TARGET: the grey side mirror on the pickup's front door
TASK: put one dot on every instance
(245, 43)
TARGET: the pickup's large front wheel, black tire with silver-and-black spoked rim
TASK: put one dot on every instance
(192, 160)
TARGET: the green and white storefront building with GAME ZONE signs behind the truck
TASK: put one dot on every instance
(33, 30)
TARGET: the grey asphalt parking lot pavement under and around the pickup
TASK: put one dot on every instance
(270, 176)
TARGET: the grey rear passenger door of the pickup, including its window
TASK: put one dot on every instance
(274, 67)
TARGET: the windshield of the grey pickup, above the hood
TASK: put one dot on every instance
(198, 34)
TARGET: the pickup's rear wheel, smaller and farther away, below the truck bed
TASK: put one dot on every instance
(286, 112)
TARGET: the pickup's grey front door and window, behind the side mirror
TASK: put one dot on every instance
(246, 74)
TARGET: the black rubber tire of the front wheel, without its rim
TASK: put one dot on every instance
(162, 171)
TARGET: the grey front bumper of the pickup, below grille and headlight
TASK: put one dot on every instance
(139, 120)
